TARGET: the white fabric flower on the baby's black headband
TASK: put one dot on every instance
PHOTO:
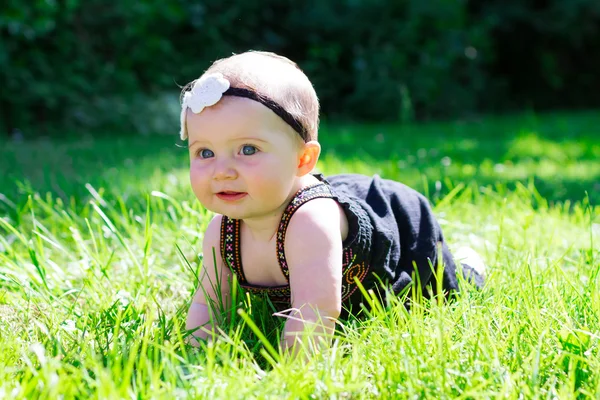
(207, 91)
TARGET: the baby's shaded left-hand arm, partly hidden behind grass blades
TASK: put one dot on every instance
(212, 295)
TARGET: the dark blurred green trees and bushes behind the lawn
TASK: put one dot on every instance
(108, 66)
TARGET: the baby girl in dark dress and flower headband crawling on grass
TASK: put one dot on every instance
(303, 240)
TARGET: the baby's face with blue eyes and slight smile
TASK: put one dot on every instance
(243, 158)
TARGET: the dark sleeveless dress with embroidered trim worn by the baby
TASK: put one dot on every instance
(393, 241)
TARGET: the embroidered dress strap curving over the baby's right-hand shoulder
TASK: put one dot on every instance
(319, 190)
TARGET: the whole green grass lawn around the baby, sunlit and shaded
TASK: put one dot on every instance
(100, 241)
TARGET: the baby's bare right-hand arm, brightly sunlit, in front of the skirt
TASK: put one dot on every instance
(313, 249)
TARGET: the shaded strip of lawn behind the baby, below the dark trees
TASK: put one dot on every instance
(558, 152)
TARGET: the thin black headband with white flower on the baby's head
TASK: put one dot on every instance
(208, 90)
